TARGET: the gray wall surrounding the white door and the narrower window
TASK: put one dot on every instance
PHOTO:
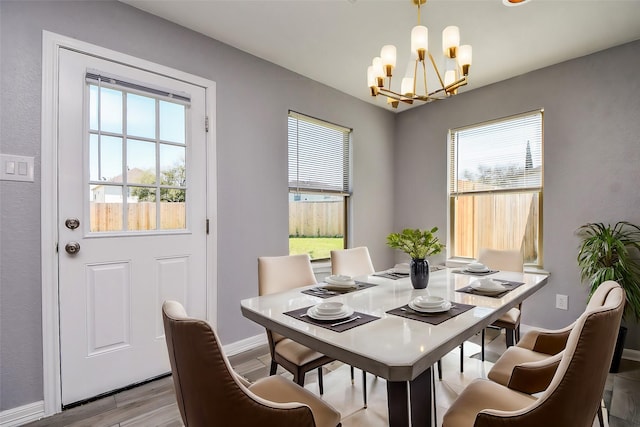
(253, 98)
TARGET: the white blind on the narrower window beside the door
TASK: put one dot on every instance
(318, 155)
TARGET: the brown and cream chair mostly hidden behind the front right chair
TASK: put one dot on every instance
(529, 366)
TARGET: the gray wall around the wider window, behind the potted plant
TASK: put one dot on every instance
(591, 160)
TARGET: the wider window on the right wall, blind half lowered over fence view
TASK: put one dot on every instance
(495, 187)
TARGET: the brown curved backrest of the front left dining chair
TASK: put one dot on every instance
(207, 390)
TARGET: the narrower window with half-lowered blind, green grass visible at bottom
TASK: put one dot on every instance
(319, 185)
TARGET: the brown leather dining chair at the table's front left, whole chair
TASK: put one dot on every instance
(209, 393)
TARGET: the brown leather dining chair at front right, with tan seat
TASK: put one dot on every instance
(573, 396)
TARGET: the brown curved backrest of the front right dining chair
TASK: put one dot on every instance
(575, 392)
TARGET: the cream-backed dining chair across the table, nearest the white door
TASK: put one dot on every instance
(280, 273)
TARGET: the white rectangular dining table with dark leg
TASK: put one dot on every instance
(398, 349)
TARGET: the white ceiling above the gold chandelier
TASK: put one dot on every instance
(333, 41)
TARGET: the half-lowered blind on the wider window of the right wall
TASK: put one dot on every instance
(501, 155)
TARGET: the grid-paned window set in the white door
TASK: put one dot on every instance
(137, 151)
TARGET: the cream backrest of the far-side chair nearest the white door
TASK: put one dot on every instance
(281, 273)
